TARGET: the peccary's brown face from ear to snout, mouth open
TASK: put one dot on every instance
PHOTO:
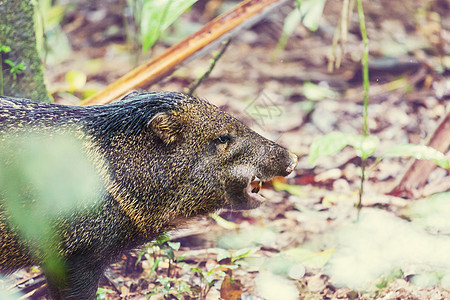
(226, 161)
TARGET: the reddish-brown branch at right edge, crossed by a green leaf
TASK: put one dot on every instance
(417, 174)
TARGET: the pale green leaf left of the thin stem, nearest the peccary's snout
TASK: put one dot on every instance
(332, 143)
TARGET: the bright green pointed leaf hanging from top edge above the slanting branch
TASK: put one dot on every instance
(157, 16)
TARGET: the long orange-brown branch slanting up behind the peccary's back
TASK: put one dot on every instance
(155, 69)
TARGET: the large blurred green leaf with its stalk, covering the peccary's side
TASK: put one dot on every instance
(42, 177)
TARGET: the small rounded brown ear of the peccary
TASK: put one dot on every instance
(166, 127)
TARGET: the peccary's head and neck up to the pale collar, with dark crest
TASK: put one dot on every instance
(190, 158)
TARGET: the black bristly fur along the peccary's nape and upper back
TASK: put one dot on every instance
(128, 116)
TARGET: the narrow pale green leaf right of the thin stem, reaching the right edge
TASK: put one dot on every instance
(418, 152)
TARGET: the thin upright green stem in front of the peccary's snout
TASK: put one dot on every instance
(365, 67)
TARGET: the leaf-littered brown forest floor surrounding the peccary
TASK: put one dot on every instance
(308, 239)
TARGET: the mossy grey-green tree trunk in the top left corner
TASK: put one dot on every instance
(17, 32)
